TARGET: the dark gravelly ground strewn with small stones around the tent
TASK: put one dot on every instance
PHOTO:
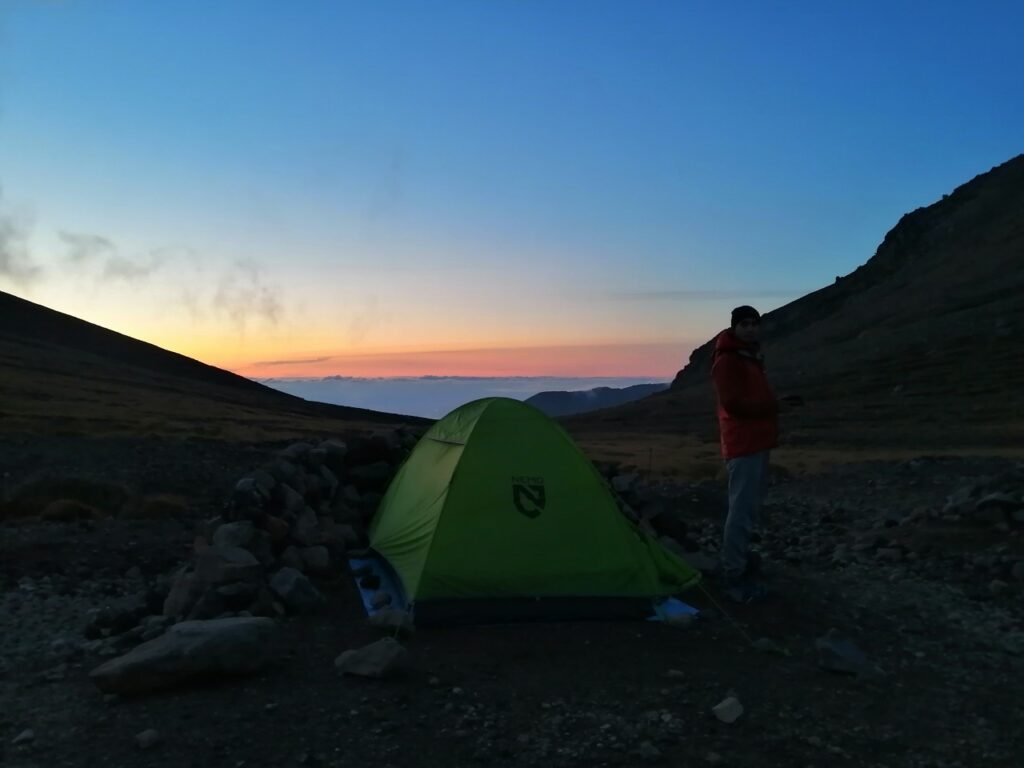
(895, 636)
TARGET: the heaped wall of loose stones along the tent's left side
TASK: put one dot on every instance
(292, 519)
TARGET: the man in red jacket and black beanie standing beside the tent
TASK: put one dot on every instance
(747, 417)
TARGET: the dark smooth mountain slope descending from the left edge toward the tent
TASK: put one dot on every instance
(65, 375)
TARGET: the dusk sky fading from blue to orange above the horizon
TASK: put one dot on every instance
(477, 188)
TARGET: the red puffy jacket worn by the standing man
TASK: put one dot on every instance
(747, 406)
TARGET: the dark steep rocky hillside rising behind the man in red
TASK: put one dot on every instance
(924, 343)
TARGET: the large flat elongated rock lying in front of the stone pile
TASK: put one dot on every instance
(189, 652)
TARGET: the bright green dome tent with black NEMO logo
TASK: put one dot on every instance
(497, 515)
